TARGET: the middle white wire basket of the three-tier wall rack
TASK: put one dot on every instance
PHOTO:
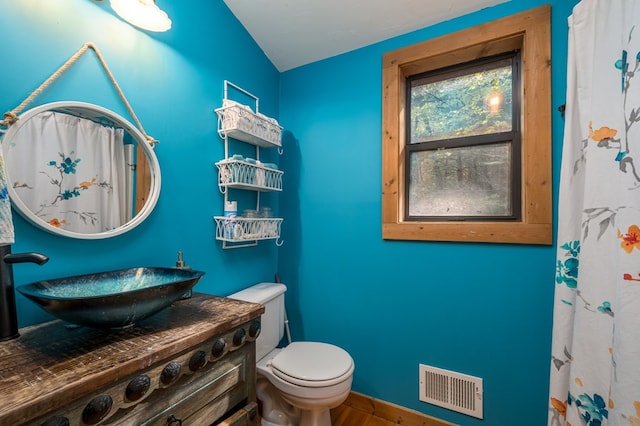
(241, 174)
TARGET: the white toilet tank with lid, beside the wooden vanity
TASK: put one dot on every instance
(271, 295)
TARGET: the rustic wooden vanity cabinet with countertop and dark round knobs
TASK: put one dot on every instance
(191, 364)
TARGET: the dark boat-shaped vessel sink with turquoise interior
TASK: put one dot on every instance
(113, 299)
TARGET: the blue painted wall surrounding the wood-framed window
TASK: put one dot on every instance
(479, 309)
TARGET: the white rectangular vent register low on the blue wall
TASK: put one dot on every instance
(455, 391)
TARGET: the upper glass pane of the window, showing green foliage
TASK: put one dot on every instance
(462, 103)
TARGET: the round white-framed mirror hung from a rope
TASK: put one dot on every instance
(79, 170)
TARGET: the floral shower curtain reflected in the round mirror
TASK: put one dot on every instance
(73, 173)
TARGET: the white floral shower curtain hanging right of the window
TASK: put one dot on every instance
(595, 365)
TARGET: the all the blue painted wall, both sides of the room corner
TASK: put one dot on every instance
(480, 309)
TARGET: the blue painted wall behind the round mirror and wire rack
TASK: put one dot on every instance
(174, 81)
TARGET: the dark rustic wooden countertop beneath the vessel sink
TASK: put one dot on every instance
(51, 364)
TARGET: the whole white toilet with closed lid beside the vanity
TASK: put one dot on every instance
(300, 383)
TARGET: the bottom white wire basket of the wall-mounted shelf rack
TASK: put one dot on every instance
(244, 231)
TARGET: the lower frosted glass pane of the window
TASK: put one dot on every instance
(465, 181)
